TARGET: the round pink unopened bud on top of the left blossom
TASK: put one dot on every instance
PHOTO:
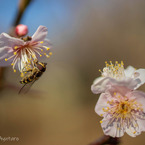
(21, 30)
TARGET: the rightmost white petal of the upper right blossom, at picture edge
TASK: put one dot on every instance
(141, 76)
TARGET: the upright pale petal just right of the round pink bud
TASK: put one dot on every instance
(40, 34)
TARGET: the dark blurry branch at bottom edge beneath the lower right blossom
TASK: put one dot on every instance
(106, 140)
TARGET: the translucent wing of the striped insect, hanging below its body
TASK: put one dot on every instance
(26, 87)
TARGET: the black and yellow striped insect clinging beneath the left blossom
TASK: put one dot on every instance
(33, 74)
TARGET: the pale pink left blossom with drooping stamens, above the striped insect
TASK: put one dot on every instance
(27, 50)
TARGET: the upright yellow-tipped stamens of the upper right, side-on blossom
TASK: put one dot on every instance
(114, 70)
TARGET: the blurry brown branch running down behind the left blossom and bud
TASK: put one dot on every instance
(21, 9)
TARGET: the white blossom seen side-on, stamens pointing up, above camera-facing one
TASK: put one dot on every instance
(117, 75)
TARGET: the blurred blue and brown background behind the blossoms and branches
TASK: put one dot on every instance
(59, 108)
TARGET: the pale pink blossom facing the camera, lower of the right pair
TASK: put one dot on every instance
(123, 111)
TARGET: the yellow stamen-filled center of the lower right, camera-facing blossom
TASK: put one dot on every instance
(122, 107)
